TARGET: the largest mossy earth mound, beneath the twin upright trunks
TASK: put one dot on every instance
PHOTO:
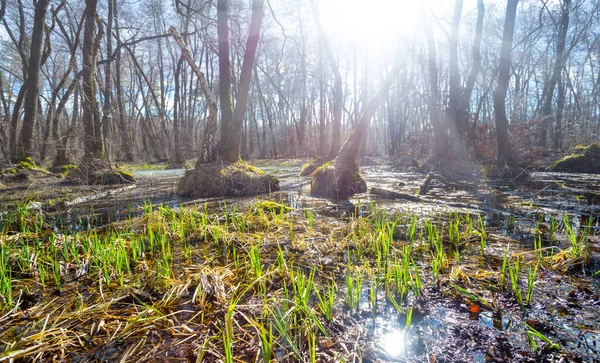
(222, 180)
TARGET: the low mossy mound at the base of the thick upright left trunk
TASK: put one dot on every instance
(98, 172)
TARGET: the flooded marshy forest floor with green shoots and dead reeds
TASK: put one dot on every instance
(475, 270)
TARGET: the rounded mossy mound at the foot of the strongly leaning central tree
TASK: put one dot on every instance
(336, 181)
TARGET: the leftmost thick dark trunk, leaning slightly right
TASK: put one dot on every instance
(32, 83)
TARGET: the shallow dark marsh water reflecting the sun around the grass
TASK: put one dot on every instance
(443, 326)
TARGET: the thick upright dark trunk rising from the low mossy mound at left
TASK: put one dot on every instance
(92, 131)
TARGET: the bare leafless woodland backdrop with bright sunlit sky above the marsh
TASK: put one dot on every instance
(108, 78)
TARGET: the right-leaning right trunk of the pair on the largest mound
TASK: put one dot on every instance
(233, 142)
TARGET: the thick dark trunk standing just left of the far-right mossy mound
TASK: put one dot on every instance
(504, 153)
